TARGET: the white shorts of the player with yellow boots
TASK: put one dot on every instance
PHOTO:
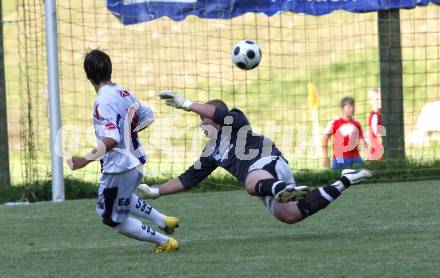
(114, 195)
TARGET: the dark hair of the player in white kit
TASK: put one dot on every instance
(98, 66)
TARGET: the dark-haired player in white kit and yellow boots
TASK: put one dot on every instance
(117, 118)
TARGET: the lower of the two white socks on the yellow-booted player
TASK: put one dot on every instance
(134, 228)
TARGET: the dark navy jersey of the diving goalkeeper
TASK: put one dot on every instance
(235, 148)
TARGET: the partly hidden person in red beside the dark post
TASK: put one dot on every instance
(375, 124)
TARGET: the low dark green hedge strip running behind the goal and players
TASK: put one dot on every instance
(386, 171)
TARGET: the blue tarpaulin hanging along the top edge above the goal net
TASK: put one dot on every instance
(135, 11)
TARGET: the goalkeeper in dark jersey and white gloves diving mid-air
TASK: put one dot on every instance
(253, 159)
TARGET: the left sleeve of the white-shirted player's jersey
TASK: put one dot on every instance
(108, 122)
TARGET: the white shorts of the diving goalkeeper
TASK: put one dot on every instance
(279, 168)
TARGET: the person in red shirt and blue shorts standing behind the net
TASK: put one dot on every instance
(347, 136)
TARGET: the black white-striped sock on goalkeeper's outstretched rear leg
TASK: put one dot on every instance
(321, 197)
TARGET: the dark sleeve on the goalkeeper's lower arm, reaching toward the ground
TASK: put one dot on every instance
(197, 172)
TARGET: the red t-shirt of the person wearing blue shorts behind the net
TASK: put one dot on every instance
(346, 134)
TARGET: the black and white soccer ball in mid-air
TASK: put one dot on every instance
(246, 55)
